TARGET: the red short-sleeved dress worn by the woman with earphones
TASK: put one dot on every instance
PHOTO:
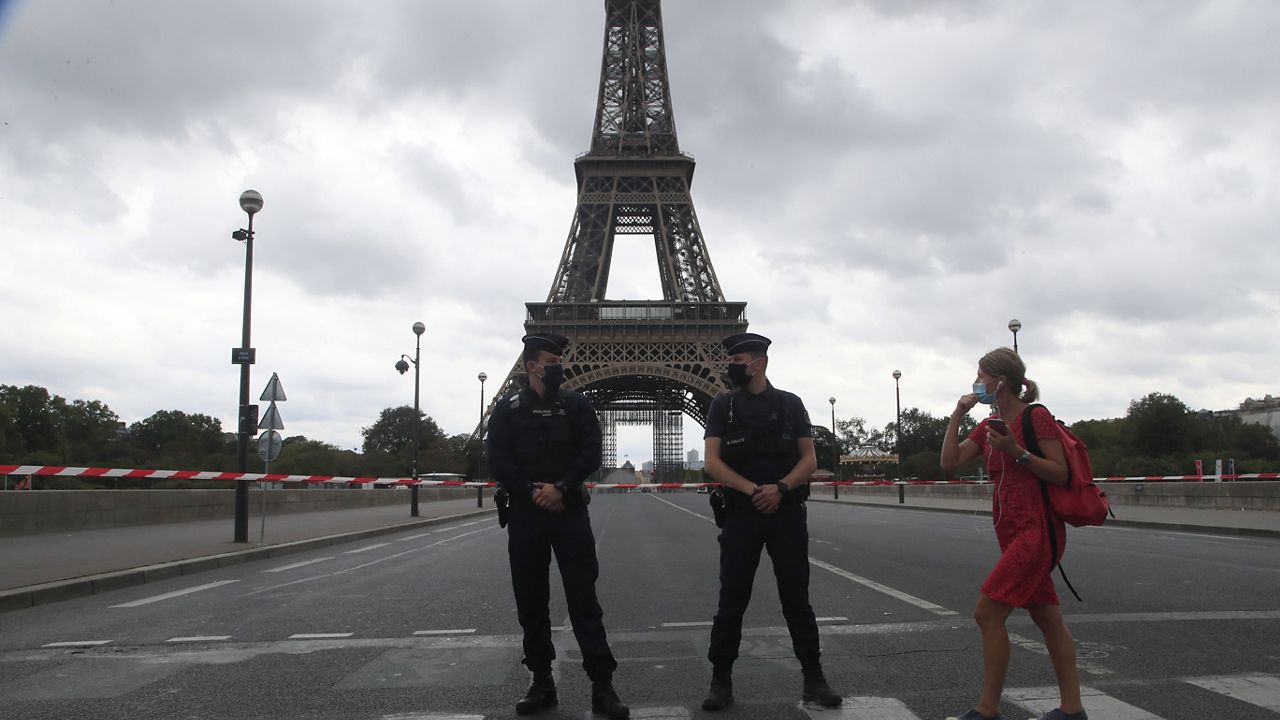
(1023, 575)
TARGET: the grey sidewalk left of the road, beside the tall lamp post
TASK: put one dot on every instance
(48, 568)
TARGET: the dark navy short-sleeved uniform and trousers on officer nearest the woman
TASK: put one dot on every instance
(760, 440)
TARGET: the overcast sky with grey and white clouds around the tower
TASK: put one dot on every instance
(885, 183)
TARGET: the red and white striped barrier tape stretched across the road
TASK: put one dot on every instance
(66, 472)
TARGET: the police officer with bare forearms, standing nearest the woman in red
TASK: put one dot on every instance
(760, 448)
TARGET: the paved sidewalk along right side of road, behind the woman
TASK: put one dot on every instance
(1205, 521)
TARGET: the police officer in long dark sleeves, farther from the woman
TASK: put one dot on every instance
(543, 445)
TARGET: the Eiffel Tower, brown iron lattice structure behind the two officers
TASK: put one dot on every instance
(641, 363)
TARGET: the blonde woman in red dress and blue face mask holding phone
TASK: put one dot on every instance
(1022, 576)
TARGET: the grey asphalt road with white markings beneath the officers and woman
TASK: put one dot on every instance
(422, 626)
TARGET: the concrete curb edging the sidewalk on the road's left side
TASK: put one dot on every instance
(45, 594)
